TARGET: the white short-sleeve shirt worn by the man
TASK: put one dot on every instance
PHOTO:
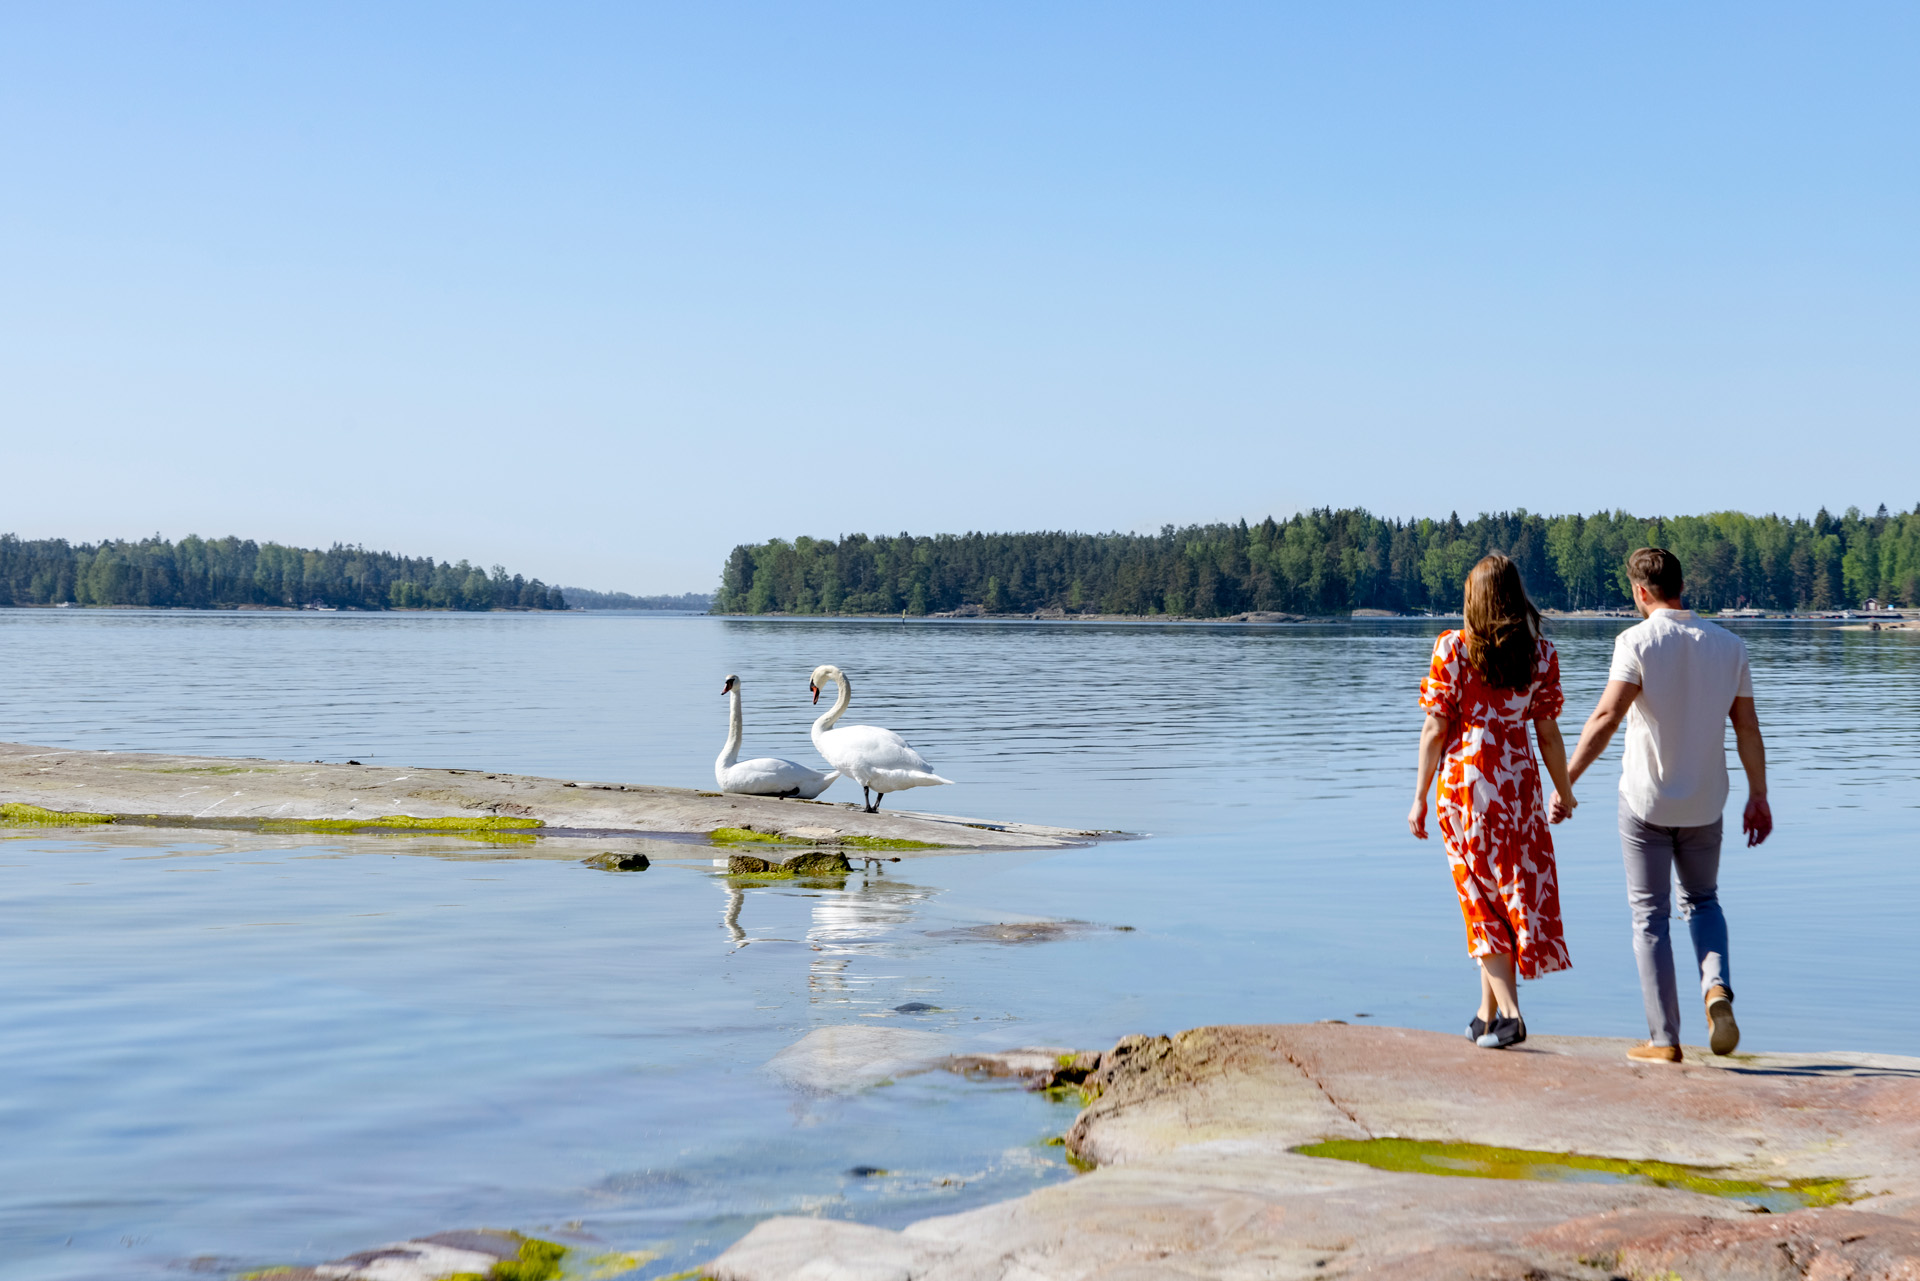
(1689, 671)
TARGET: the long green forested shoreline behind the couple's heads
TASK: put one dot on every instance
(1333, 562)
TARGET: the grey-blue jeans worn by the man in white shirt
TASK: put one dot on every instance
(1654, 858)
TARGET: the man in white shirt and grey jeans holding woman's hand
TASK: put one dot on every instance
(1677, 681)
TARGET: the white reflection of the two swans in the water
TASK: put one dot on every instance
(861, 919)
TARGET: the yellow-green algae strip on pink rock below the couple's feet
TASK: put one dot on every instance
(1476, 1161)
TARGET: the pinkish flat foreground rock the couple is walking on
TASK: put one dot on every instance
(1197, 1176)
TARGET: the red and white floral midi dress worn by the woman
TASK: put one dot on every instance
(1491, 808)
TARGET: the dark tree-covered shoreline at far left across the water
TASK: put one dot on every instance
(226, 573)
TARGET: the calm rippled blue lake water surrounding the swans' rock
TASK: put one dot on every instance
(229, 1053)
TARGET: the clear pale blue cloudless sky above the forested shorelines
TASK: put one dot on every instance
(602, 291)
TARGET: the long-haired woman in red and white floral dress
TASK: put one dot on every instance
(1485, 685)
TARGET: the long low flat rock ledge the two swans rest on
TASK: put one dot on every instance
(231, 792)
